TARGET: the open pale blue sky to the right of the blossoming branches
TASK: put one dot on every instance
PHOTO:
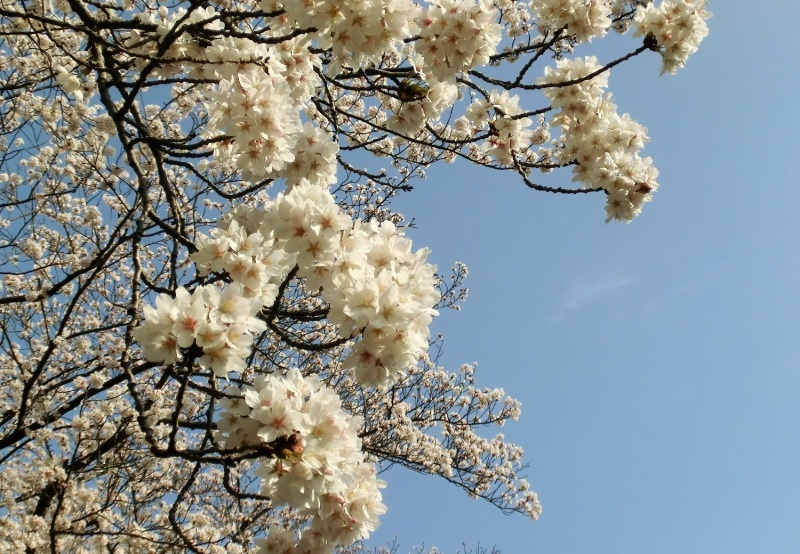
(658, 363)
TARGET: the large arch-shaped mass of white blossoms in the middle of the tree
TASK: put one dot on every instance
(376, 286)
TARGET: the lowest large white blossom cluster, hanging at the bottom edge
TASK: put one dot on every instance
(318, 469)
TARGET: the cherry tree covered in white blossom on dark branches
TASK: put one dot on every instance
(214, 333)
